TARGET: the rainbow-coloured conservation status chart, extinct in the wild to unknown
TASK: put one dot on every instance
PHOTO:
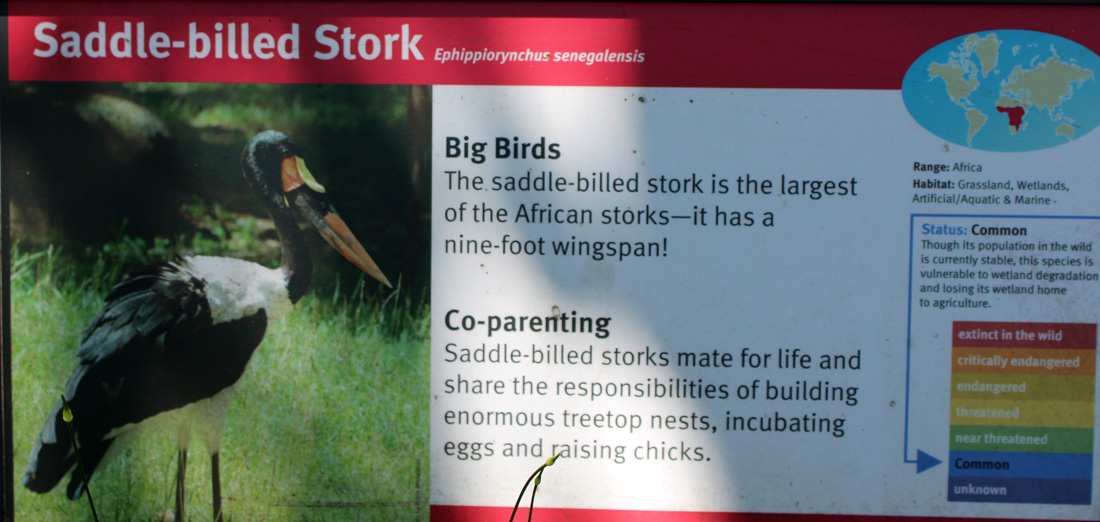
(1024, 397)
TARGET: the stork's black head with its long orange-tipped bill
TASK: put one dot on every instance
(274, 166)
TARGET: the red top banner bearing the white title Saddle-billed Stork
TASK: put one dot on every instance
(656, 46)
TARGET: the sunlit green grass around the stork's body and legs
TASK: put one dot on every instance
(331, 421)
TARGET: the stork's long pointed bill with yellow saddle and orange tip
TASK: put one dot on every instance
(324, 217)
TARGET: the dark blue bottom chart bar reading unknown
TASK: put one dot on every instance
(1019, 491)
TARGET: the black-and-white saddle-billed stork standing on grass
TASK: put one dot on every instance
(173, 339)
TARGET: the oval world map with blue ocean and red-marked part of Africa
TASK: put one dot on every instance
(1006, 91)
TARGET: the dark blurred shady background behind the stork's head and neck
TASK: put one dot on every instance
(157, 168)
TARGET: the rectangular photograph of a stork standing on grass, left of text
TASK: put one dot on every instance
(229, 286)
